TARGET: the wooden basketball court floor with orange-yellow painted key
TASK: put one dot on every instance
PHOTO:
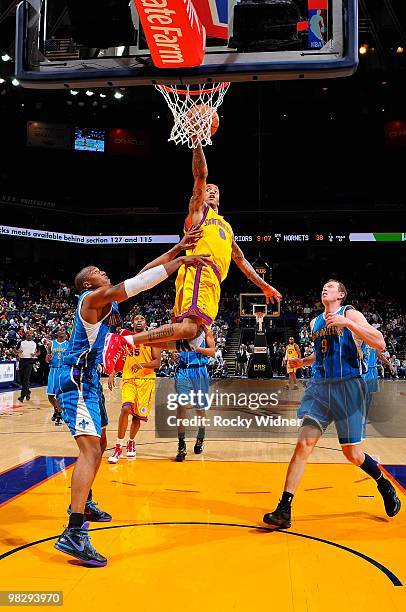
(191, 534)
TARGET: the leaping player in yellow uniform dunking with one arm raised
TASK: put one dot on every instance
(198, 288)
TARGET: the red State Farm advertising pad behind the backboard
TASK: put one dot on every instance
(175, 35)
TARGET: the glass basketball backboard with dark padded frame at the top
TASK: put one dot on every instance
(247, 40)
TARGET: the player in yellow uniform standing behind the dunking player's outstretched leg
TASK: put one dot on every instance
(137, 391)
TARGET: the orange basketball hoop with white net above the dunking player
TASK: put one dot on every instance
(194, 112)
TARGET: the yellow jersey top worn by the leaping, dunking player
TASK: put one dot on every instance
(216, 240)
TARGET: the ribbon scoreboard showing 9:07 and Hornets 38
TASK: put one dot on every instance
(320, 238)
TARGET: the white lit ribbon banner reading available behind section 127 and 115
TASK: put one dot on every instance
(21, 232)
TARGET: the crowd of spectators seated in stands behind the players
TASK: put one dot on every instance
(43, 305)
